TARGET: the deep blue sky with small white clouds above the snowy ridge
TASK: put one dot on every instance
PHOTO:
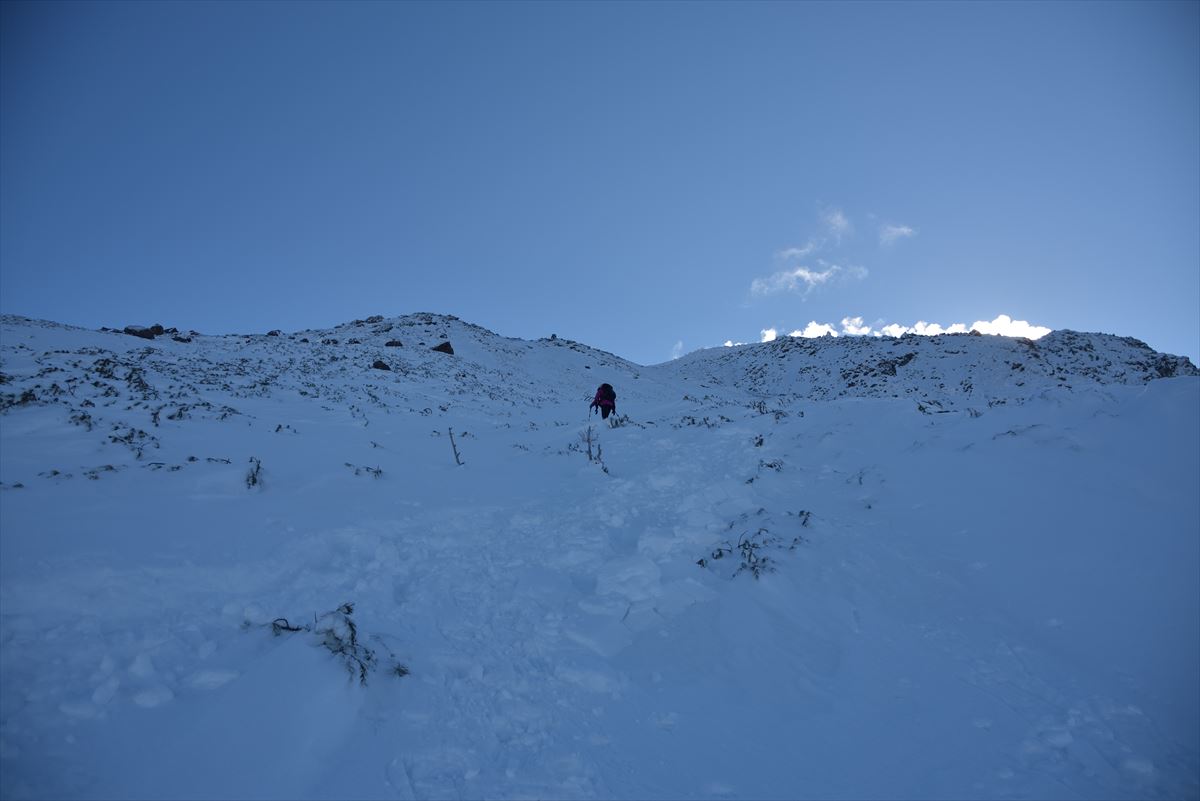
(646, 178)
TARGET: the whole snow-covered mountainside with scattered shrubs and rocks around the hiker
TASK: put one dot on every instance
(979, 569)
